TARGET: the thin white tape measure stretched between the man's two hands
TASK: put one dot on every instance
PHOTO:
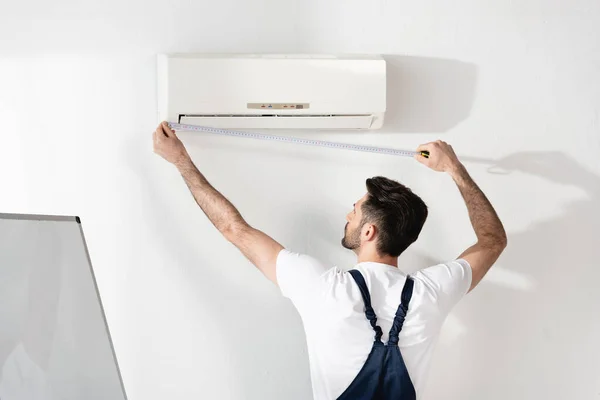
(312, 142)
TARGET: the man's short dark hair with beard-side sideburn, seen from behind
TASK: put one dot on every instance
(396, 211)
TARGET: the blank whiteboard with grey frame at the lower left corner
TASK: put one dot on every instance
(54, 340)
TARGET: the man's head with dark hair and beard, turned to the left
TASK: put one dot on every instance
(389, 217)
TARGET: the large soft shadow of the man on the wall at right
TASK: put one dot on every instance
(534, 327)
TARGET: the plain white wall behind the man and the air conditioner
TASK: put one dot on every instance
(514, 86)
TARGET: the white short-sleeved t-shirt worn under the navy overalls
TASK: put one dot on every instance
(338, 335)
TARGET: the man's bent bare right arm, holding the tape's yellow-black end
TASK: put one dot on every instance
(491, 237)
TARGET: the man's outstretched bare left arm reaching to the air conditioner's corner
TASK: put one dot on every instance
(256, 246)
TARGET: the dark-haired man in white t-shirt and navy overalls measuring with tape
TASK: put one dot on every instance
(343, 311)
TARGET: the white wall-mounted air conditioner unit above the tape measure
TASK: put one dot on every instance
(272, 91)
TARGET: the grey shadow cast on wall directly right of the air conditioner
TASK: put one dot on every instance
(426, 94)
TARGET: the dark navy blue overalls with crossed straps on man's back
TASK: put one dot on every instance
(384, 375)
